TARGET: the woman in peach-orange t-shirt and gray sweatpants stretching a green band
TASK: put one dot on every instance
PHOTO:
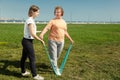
(58, 29)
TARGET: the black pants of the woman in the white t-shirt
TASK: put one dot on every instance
(28, 51)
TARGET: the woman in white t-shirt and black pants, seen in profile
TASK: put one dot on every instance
(27, 43)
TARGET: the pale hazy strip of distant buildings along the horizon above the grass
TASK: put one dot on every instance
(6, 20)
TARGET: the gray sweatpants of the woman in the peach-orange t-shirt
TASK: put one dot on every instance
(55, 49)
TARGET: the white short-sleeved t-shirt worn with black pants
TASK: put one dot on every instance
(27, 34)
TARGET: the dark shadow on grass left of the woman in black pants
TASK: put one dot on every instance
(5, 66)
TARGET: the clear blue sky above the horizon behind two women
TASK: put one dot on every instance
(75, 10)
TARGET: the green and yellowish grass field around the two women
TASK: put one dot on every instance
(94, 56)
